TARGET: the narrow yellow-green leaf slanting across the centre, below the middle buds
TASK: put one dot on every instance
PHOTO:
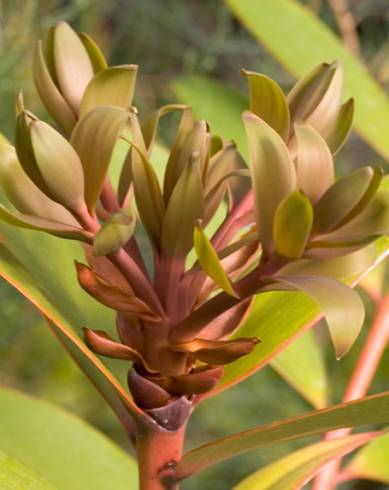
(210, 262)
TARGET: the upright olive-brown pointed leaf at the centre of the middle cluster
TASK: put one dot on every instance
(186, 206)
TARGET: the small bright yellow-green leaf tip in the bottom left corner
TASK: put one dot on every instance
(15, 475)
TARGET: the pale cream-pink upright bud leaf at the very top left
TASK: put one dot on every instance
(73, 67)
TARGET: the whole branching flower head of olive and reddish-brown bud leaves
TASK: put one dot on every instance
(249, 231)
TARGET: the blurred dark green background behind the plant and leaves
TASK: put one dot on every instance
(169, 39)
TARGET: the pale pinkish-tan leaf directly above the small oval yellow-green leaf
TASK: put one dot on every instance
(315, 167)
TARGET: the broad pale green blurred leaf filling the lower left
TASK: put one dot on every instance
(63, 449)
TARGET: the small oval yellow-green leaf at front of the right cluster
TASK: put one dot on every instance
(292, 225)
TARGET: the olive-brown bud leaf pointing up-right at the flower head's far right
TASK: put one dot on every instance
(346, 198)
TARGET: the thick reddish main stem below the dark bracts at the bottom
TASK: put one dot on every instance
(158, 452)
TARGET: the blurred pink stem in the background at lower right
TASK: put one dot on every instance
(359, 383)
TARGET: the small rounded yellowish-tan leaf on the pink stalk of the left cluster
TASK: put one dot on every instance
(114, 233)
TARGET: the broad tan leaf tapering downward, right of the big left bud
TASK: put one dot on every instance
(94, 139)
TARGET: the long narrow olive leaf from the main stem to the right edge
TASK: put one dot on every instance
(369, 410)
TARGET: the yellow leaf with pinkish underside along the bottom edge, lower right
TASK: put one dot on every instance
(298, 468)
